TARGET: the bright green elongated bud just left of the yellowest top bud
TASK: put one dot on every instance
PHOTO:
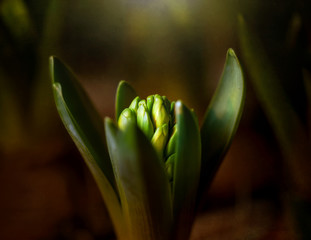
(143, 120)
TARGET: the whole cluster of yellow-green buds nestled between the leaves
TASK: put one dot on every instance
(156, 118)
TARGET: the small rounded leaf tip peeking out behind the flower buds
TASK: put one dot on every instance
(124, 97)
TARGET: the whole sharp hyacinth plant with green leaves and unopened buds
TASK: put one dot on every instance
(152, 163)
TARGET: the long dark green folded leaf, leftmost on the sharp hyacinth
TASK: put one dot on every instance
(87, 131)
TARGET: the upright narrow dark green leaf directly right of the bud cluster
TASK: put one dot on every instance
(186, 170)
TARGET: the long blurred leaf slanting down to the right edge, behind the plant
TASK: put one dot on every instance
(286, 124)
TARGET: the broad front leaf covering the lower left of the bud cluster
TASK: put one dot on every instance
(142, 183)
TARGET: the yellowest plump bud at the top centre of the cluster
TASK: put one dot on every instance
(160, 116)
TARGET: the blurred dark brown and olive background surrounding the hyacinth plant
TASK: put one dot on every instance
(174, 48)
